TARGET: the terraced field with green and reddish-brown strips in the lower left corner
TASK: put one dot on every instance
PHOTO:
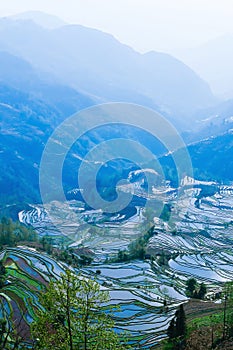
(27, 274)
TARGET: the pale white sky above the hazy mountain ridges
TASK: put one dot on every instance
(143, 24)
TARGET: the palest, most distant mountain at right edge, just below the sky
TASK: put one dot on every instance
(213, 62)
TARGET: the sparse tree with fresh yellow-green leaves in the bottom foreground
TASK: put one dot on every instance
(72, 317)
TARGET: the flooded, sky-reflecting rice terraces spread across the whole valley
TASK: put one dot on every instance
(201, 235)
